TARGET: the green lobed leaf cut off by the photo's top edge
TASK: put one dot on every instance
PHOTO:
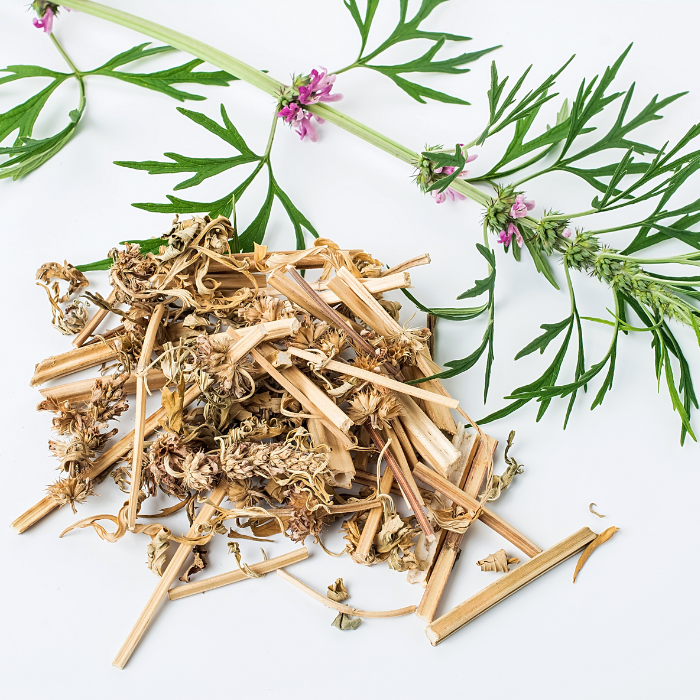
(407, 30)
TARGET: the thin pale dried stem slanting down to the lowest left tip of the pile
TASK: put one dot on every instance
(168, 578)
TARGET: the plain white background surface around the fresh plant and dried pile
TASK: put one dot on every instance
(628, 626)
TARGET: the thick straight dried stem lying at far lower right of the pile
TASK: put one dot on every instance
(508, 584)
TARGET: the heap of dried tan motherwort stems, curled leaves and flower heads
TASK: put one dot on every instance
(279, 395)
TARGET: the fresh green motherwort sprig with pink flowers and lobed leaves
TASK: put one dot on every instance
(635, 174)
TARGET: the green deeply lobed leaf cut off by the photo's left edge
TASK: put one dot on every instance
(27, 154)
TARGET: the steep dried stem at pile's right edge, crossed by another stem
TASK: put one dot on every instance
(470, 482)
